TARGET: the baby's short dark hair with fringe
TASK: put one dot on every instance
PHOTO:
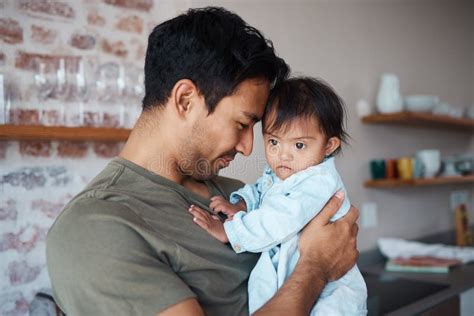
(306, 97)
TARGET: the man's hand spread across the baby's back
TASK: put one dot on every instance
(330, 247)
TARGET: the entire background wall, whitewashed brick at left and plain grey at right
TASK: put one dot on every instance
(428, 44)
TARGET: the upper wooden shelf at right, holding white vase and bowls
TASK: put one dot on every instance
(421, 119)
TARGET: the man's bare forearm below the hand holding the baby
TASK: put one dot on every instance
(297, 295)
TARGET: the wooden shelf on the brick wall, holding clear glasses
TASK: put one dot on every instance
(30, 132)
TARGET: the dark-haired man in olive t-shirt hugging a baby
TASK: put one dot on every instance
(127, 245)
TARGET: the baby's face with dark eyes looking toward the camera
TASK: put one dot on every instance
(295, 147)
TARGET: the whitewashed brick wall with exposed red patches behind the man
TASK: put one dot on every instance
(37, 178)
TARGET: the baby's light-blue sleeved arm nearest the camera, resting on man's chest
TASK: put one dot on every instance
(281, 217)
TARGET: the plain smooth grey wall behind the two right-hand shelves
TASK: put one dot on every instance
(427, 44)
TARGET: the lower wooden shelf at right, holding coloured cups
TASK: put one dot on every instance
(391, 183)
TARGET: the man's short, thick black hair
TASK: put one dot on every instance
(212, 47)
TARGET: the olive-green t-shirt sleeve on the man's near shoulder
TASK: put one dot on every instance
(101, 262)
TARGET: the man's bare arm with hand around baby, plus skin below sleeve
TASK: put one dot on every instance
(327, 251)
